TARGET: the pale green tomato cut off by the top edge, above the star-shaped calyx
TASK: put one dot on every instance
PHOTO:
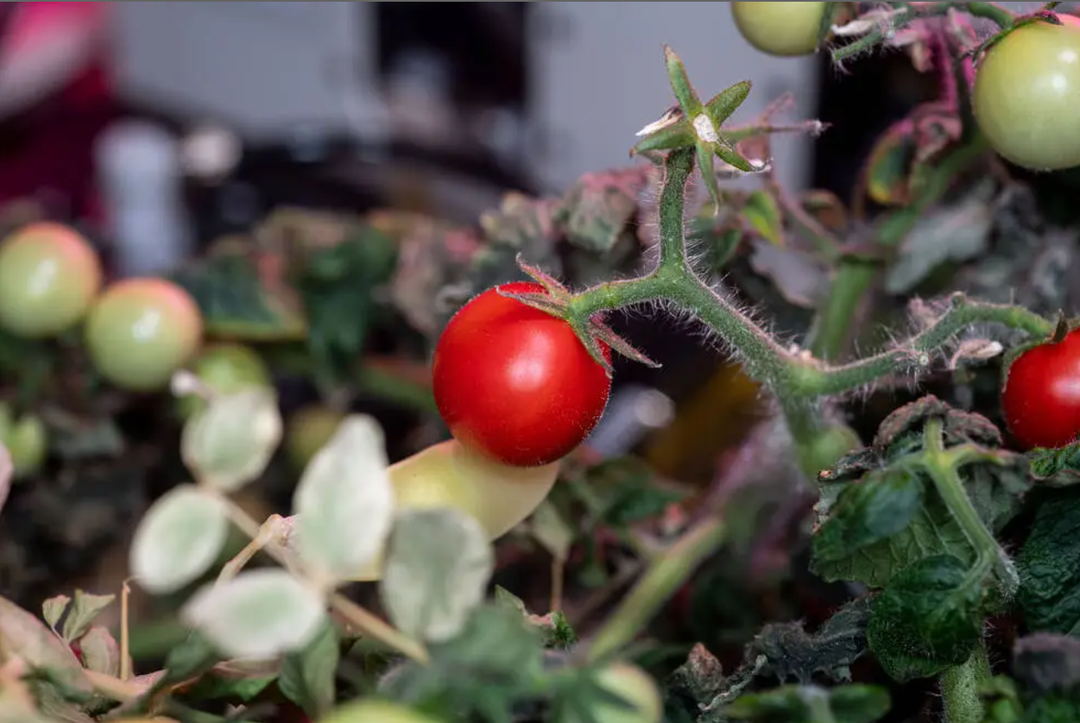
(780, 29)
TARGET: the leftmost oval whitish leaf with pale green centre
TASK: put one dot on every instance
(179, 540)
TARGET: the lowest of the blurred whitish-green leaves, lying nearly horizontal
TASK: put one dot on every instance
(259, 614)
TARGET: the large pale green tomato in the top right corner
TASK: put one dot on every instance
(1028, 96)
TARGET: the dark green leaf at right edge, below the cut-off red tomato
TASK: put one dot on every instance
(1049, 566)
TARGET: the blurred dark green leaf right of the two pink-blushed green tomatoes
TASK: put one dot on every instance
(236, 303)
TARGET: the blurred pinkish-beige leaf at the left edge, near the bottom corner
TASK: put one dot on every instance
(24, 637)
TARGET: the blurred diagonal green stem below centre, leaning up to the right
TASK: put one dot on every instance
(667, 573)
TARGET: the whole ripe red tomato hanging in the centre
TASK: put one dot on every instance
(516, 383)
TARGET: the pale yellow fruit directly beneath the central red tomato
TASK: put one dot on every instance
(451, 475)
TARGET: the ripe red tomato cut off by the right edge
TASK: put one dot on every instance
(1042, 397)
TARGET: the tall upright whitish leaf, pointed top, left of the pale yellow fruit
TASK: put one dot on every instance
(345, 501)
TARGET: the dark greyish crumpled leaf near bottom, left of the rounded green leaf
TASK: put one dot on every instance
(791, 652)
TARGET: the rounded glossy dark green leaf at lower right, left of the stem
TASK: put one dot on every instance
(928, 619)
